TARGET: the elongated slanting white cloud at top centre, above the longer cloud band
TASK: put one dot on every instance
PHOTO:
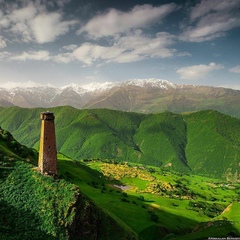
(115, 21)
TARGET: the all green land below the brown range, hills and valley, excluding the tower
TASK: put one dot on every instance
(141, 176)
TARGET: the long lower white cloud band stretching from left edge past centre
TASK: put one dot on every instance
(131, 48)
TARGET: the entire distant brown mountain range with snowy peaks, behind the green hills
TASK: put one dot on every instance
(137, 95)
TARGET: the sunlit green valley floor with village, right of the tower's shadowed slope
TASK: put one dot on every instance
(158, 204)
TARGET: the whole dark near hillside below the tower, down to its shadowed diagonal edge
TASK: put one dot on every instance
(36, 207)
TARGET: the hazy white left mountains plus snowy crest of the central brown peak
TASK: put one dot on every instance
(30, 94)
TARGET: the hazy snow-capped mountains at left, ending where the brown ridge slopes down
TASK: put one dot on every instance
(49, 96)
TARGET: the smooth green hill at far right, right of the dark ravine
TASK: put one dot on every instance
(213, 147)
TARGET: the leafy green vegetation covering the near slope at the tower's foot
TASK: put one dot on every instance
(25, 195)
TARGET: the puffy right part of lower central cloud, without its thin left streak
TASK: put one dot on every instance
(131, 48)
